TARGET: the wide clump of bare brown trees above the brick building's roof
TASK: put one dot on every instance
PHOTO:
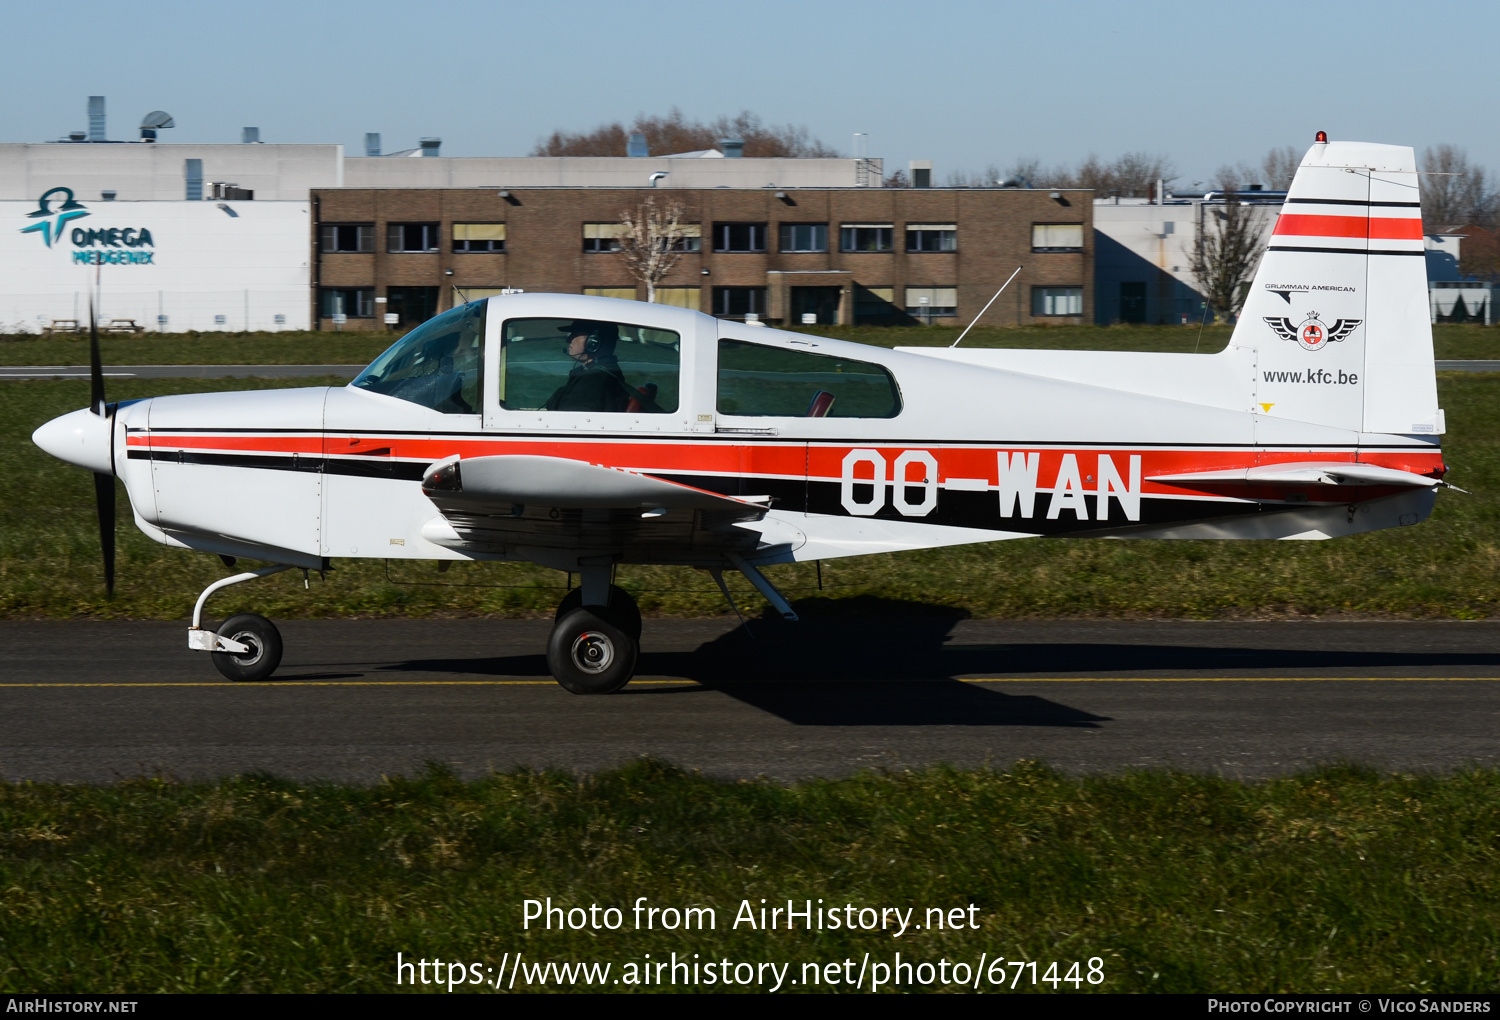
(677, 134)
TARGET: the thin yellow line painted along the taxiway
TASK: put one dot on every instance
(662, 683)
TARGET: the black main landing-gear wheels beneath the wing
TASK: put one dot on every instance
(593, 649)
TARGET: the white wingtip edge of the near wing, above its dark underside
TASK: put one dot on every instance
(560, 482)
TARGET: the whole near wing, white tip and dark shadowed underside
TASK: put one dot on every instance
(503, 503)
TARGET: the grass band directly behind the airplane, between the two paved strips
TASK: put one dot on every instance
(1442, 569)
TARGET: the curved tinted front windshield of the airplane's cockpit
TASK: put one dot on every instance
(439, 365)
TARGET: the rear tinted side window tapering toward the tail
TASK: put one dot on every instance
(760, 380)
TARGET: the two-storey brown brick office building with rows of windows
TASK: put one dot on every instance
(841, 256)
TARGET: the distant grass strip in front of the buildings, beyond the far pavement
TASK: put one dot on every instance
(362, 347)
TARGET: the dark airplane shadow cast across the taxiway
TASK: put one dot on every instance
(878, 662)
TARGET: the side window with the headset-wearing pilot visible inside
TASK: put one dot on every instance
(589, 365)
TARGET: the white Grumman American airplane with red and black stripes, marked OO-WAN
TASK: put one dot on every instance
(584, 433)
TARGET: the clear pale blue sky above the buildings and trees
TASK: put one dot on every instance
(964, 85)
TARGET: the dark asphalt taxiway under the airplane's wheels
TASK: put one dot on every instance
(358, 700)
